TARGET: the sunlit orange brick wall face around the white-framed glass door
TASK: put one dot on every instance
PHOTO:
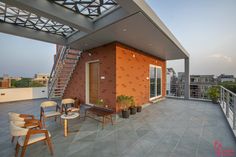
(132, 73)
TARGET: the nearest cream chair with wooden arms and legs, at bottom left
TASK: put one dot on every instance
(28, 137)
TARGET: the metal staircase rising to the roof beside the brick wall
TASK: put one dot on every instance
(64, 64)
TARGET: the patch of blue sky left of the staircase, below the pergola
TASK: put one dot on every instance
(24, 57)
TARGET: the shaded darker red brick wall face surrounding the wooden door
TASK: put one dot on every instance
(106, 56)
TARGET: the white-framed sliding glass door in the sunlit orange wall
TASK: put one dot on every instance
(155, 81)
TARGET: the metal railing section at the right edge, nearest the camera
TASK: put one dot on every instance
(228, 104)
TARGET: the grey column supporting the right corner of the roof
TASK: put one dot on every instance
(187, 79)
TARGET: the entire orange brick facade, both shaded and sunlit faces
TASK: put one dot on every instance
(126, 71)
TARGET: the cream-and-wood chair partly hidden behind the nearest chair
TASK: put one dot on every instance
(23, 120)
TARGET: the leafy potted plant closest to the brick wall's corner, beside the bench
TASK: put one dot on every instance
(124, 102)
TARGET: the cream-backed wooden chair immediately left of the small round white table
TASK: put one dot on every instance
(44, 114)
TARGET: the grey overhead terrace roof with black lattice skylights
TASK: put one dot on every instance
(85, 24)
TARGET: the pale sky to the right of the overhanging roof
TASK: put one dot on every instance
(206, 29)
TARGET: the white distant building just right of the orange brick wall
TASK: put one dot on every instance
(170, 81)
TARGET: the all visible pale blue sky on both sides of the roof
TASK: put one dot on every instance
(205, 28)
